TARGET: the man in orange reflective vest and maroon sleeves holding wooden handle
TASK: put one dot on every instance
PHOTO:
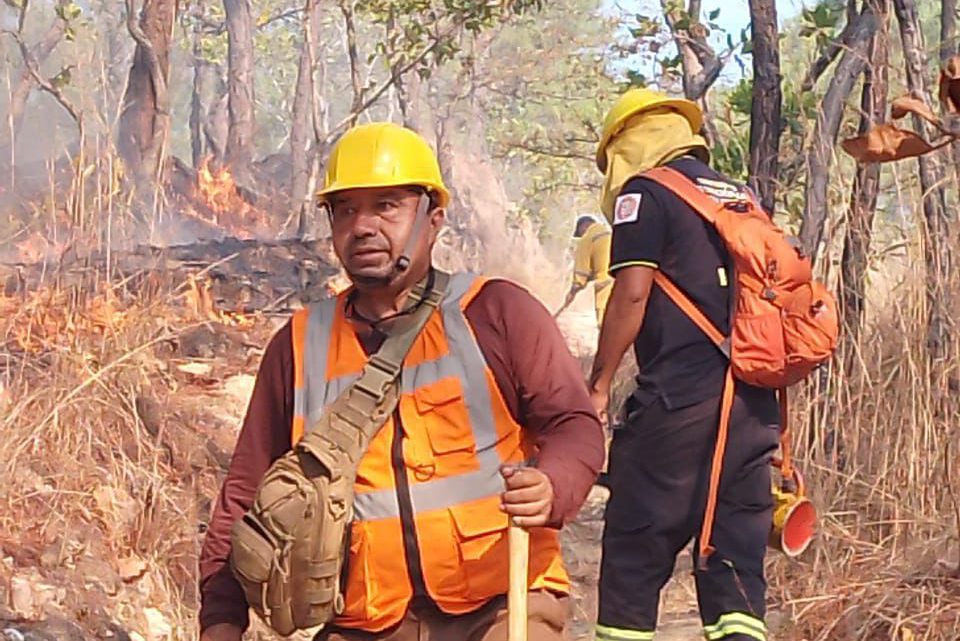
(486, 428)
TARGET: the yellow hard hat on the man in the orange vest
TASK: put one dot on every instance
(383, 154)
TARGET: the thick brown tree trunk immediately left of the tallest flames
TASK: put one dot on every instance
(145, 120)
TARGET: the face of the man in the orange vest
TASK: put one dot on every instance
(371, 227)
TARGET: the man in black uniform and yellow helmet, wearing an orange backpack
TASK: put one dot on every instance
(661, 457)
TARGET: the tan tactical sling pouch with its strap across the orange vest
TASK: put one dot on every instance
(288, 549)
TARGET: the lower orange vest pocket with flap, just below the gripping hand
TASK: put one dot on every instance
(481, 530)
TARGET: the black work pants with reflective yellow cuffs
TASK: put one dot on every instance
(659, 474)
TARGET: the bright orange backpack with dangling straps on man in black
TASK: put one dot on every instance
(783, 323)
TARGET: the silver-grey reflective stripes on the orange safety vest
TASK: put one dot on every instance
(464, 361)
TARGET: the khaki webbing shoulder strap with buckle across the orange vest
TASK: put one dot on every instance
(364, 406)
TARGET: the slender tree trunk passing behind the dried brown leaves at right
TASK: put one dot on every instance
(936, 231)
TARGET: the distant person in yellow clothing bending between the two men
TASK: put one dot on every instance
(592, 262)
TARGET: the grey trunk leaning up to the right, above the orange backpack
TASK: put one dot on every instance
(819, 155)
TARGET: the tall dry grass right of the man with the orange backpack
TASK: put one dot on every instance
(879, 443)
